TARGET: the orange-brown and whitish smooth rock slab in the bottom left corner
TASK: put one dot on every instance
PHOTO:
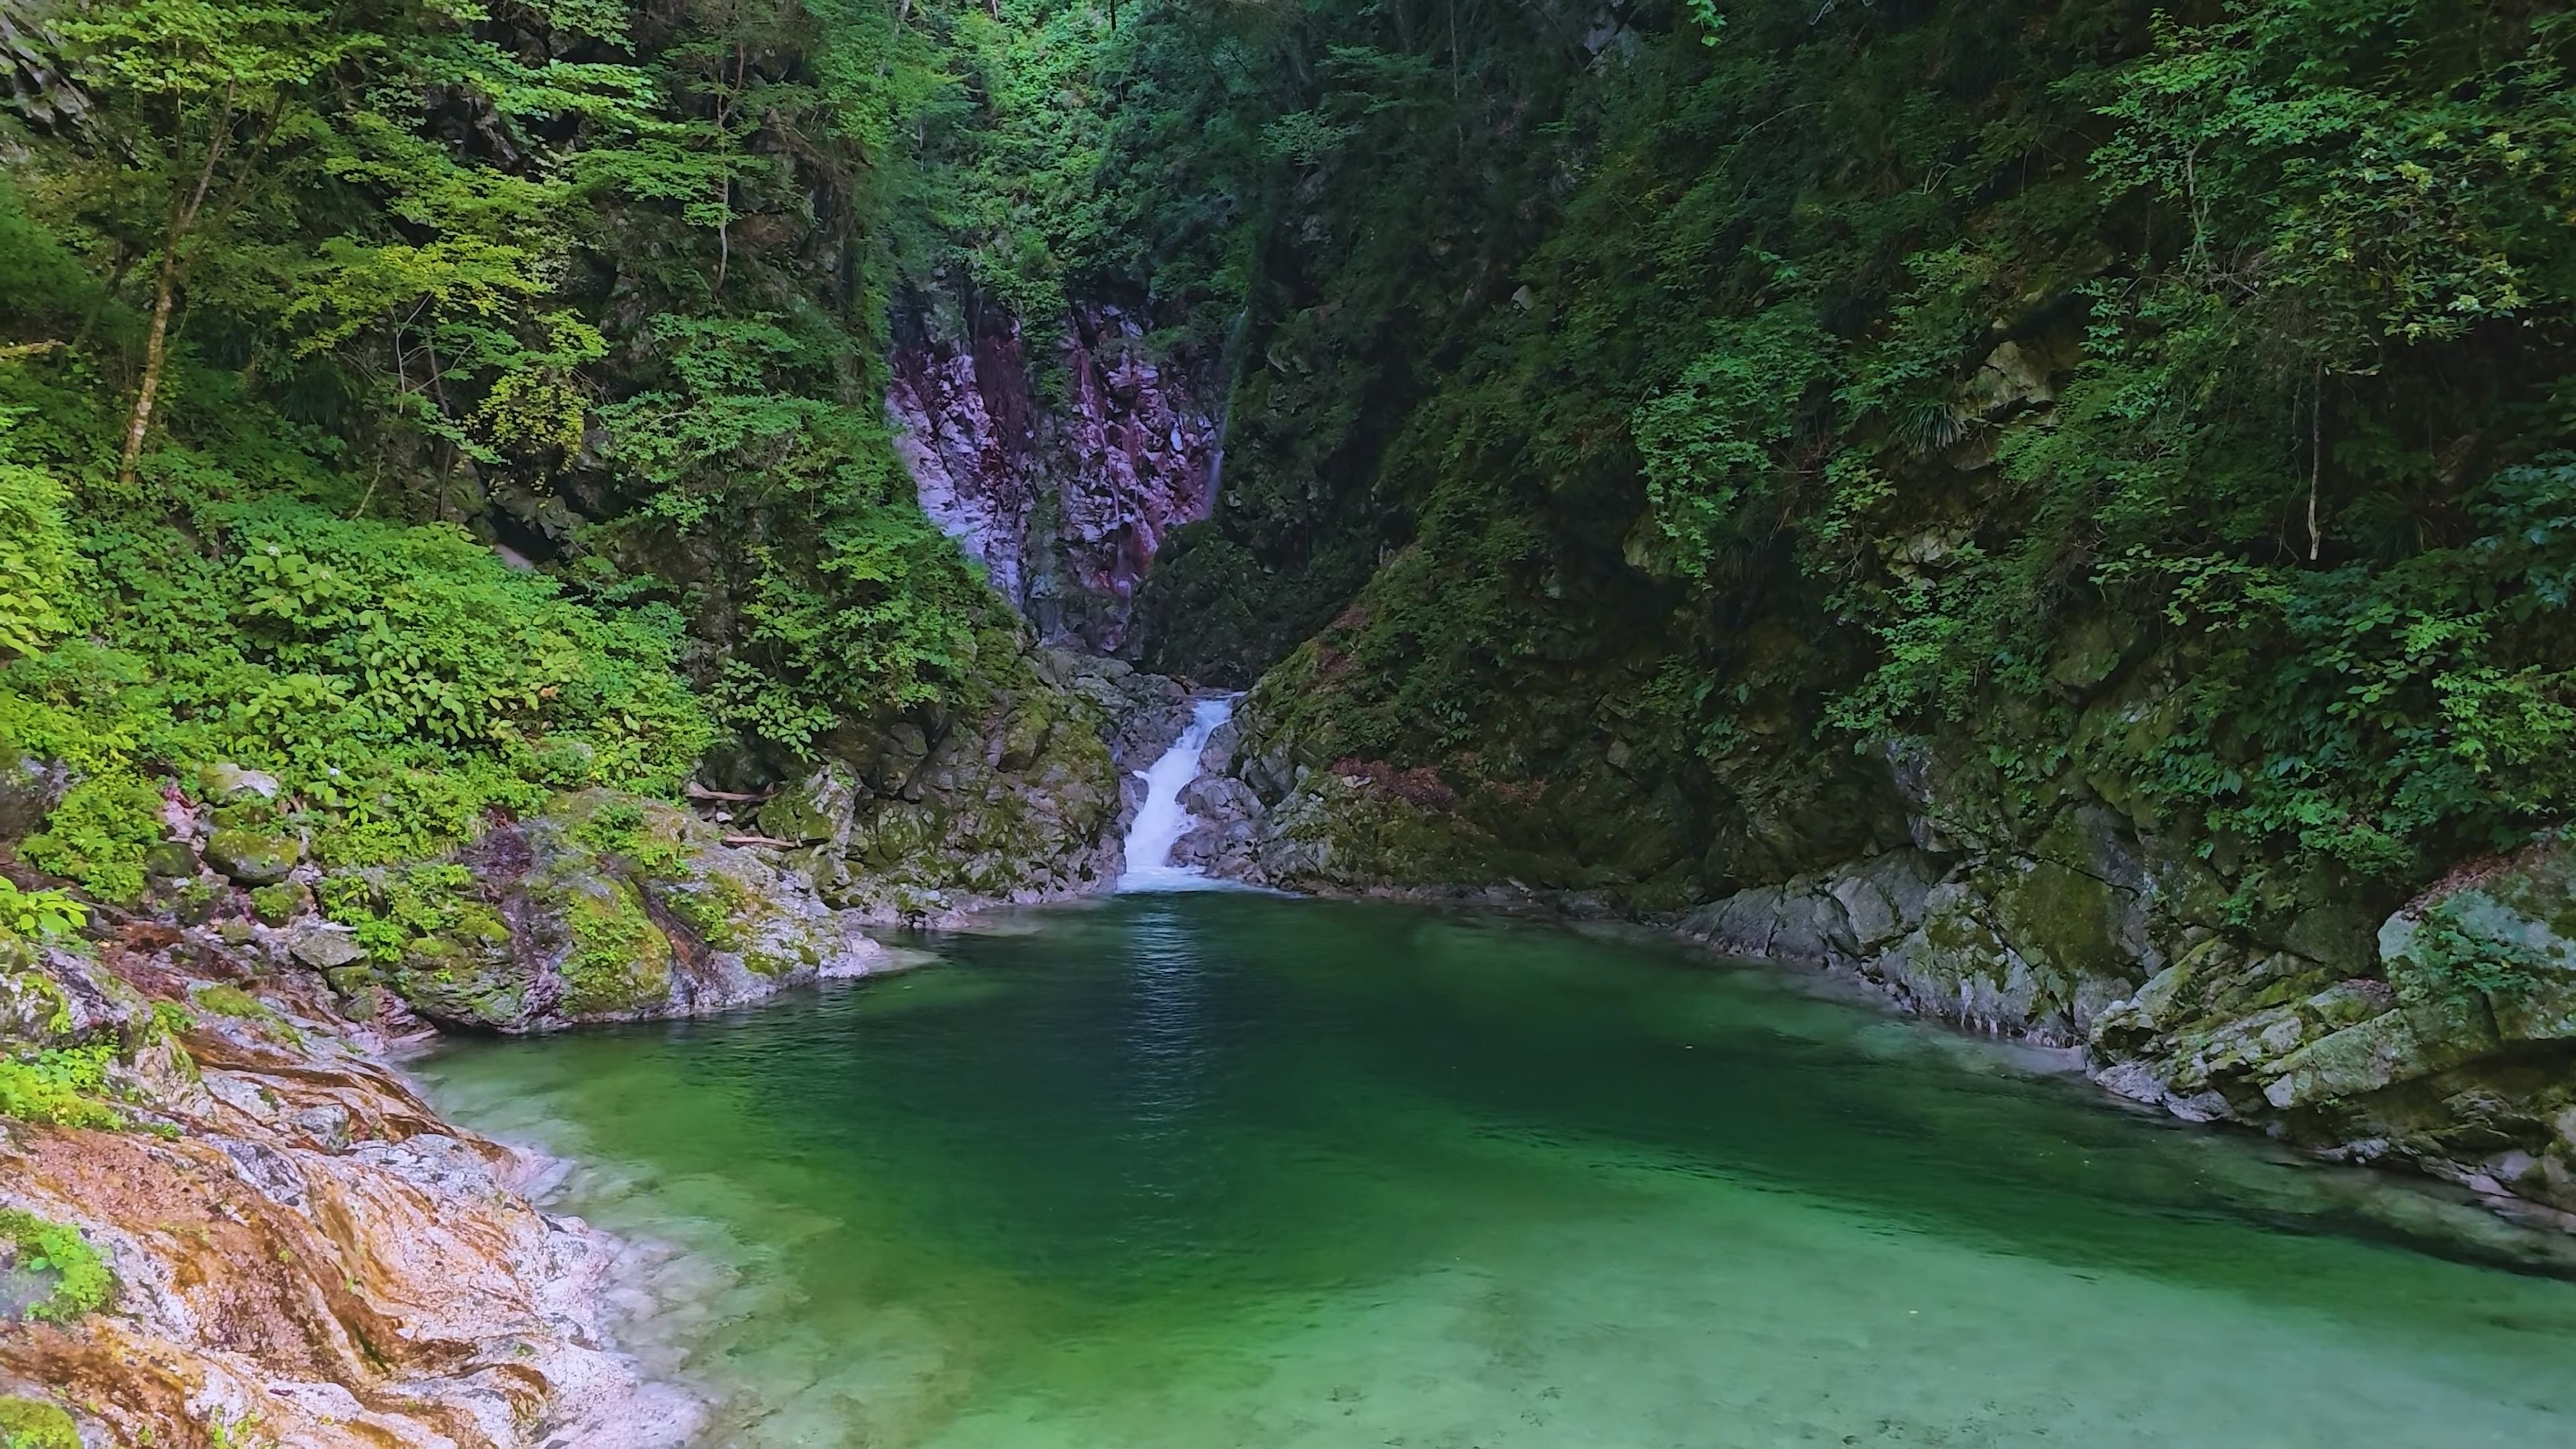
(231, 1223)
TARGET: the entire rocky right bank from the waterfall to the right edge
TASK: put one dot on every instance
(2438, 1038)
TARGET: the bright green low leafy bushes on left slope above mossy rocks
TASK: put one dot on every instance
(398, 679)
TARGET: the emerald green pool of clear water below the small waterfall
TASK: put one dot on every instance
(1212, 1172)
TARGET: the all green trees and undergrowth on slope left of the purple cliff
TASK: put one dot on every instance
(439, 409)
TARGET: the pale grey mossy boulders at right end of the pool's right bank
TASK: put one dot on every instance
(2451, 1048)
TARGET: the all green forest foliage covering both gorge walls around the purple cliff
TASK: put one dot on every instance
(2173, 406)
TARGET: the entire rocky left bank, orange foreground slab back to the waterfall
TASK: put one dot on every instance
(231, 1221)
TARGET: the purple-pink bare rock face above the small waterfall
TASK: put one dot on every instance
(1065, 499)
